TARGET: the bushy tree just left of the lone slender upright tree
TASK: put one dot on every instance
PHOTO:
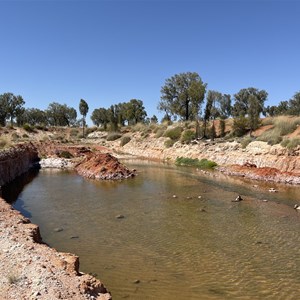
(61, 115)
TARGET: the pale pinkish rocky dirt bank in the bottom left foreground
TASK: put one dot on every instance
(32, 270)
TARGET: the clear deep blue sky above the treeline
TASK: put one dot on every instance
(108, 52)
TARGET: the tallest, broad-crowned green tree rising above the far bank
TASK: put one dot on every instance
(182, 95)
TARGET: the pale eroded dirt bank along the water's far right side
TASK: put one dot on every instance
(272, 163)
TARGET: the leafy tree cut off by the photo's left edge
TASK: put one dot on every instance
(11, 106)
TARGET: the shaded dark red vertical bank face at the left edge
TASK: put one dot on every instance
(16, 161)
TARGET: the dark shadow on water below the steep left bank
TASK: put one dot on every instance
(12, 190)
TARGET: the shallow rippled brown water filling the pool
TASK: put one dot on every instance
(199, 245)
